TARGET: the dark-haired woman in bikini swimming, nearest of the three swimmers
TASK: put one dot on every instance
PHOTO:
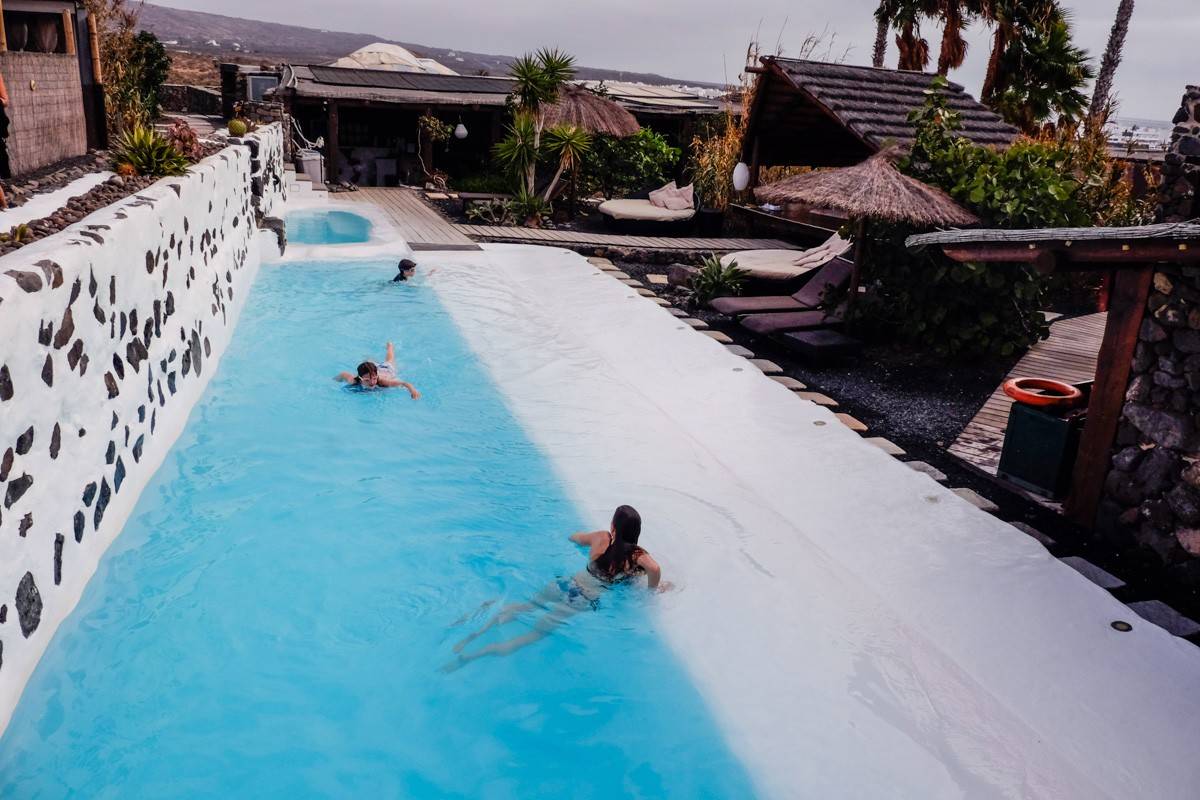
(614, 557)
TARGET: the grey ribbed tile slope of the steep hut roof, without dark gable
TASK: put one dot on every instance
(875, 104)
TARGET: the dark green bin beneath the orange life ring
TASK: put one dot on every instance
(1041, 448)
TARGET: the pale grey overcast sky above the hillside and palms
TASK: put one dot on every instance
(705, 40)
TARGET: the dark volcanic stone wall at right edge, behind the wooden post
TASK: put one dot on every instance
(1153, 492)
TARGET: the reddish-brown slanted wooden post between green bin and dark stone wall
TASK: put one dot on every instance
(1131, 288)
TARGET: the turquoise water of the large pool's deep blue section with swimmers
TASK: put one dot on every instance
(273, 621)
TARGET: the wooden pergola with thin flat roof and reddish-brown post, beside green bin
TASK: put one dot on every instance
(1131, 255)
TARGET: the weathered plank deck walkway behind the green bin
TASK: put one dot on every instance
(1070, 356)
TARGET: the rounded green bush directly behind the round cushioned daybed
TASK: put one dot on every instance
(616, 167)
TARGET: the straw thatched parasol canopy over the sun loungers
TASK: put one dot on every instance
(873, 190)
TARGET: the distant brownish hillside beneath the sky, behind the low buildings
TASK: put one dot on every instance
(197, 38)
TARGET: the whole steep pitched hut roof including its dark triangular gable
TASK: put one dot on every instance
(836, 115)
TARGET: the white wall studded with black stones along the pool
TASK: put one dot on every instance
(109, 334)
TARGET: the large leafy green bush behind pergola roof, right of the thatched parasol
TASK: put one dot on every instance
(994, 310)
